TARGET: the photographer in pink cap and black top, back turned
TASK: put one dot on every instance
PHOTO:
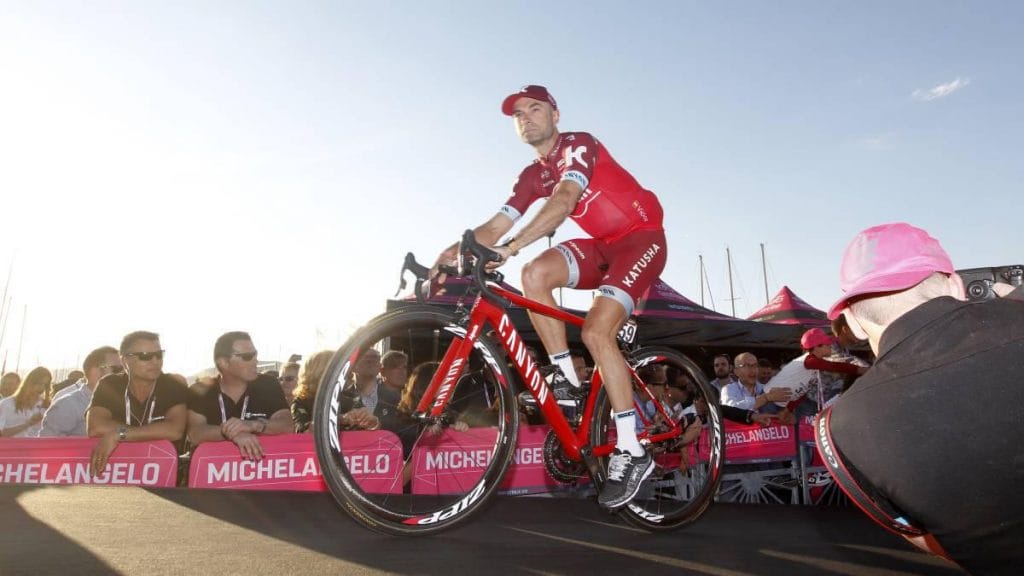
(934, 428)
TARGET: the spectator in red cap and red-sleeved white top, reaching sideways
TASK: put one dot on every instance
(803, 376)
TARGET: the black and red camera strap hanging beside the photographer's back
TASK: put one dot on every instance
(865, 496)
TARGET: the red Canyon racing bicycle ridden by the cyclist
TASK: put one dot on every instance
(445, 456)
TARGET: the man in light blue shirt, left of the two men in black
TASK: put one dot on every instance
(66, 417)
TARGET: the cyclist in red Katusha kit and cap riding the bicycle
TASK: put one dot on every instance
(627, 253)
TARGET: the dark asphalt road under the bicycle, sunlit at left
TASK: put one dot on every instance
(104, 530)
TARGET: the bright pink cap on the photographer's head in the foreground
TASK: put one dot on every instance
(888, 259)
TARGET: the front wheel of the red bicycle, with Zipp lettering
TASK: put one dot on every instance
(411, 477)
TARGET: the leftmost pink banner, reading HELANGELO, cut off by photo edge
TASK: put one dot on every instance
(66, 461)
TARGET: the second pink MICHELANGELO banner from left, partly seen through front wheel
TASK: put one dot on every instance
(290, 464)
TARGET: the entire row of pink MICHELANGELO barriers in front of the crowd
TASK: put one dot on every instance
(290, 463)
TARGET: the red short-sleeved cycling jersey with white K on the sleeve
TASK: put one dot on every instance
(613, 204)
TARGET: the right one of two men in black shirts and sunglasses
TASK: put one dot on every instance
(243, 404)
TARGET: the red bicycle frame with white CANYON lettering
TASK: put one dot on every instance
(486, 313)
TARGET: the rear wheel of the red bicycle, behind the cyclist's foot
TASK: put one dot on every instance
(675, 495)
